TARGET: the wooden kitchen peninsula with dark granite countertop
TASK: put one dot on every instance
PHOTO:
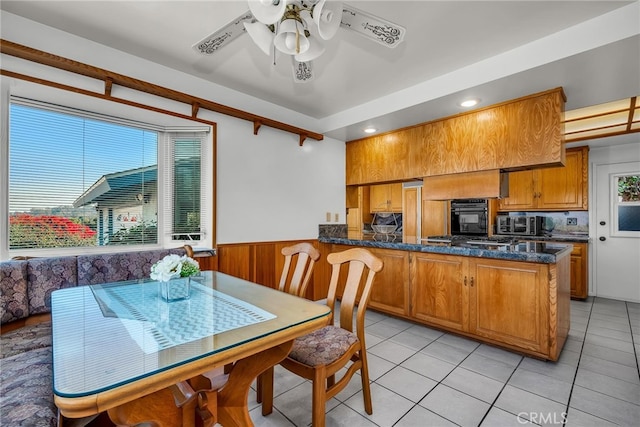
(515, 296)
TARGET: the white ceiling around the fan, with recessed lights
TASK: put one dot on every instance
(495, 50)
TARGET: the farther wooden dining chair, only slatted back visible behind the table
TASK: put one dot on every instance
(305, 256)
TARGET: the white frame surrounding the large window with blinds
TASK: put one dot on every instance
(165, 129)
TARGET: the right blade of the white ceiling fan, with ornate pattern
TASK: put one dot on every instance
(377, 29)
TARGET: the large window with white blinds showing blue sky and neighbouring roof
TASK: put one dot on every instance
(81, 180)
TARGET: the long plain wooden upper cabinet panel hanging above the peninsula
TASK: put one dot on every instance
(525, 132)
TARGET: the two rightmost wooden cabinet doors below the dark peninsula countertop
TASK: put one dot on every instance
(499, 300)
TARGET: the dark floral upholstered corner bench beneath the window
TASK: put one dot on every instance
(26, 395)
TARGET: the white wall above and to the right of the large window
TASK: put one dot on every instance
(269, 188)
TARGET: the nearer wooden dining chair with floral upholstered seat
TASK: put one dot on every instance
(319, 355)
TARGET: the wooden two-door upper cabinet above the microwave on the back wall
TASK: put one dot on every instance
(551, 189)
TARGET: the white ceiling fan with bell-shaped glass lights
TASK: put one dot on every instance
(298, 28)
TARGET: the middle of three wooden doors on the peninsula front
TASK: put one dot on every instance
(439, 290)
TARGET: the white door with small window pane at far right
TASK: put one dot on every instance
(616, 242)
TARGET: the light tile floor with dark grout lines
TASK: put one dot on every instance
(424, 377)
